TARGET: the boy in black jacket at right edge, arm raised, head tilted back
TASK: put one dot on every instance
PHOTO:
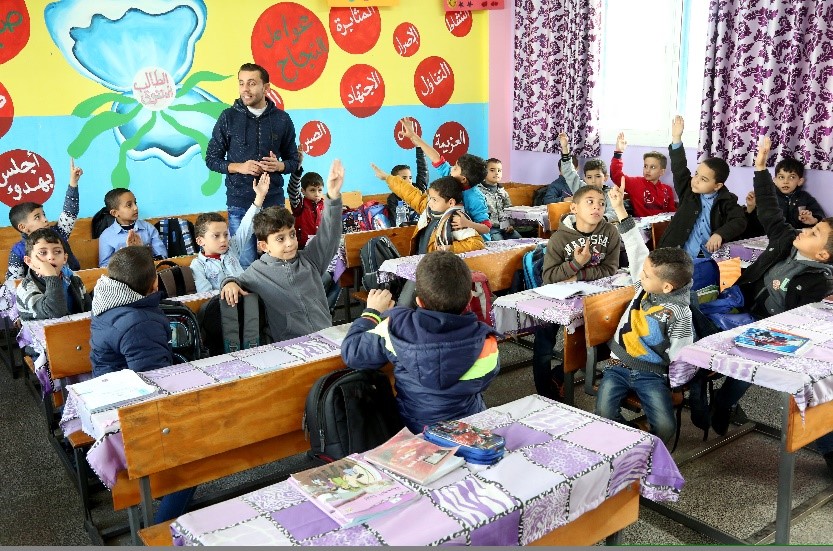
(793, 271)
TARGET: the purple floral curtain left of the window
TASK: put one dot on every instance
(557, 64)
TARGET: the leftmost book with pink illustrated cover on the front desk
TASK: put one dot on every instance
(351, 491)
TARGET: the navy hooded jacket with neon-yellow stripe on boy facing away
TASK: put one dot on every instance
(441, 362)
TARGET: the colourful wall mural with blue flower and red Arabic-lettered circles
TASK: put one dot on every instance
(131, 90)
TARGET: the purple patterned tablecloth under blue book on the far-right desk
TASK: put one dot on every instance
(809, 377)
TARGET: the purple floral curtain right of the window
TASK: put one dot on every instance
(769, 70)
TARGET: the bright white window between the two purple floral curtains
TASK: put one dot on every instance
(653, 58)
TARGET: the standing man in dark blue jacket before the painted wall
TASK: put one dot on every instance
(251, 137)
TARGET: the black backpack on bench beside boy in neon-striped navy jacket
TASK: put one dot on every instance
(350, 411)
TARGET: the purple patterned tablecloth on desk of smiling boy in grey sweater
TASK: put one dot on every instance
(106, 456)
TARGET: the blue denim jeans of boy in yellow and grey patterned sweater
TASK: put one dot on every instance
(651, 388)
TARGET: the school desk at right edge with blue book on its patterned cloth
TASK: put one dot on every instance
(805, 383)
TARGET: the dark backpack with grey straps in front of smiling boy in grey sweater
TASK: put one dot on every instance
(228, 329)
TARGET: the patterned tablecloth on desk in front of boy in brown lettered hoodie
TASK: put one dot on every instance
(527, 309)
